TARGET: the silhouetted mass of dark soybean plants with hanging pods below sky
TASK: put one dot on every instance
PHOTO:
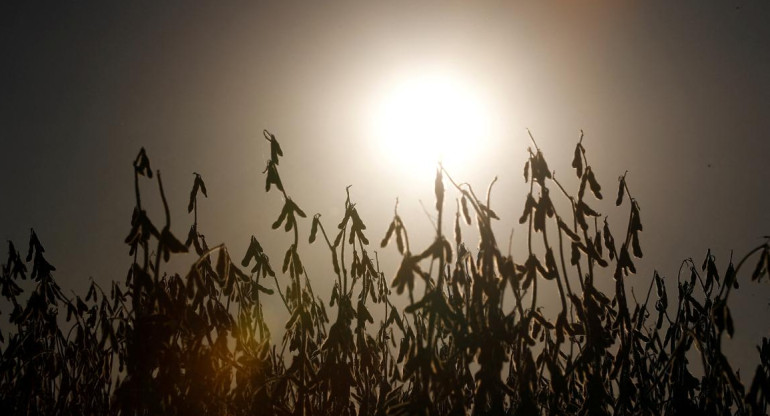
(474, 340)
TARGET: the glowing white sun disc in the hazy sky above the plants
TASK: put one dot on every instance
(423, 120)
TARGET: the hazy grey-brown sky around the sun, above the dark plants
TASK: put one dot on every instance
(677, 94)
